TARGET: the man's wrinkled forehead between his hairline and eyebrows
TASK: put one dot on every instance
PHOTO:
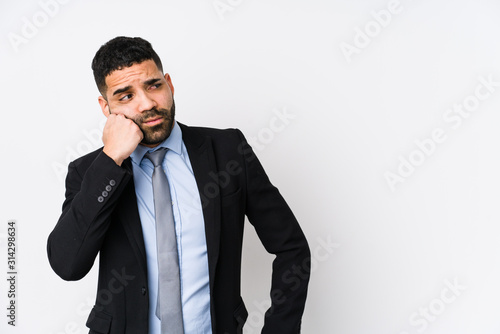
(135, 74)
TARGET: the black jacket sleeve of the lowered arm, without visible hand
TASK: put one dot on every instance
(281, 235)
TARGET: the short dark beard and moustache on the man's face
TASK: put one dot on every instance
(154, 135)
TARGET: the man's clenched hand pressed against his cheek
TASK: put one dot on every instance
(120, 137)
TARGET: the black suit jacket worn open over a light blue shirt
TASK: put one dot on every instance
(100, 215)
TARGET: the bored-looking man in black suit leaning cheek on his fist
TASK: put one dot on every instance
(119, 203)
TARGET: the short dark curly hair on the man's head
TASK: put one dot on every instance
(118, 53)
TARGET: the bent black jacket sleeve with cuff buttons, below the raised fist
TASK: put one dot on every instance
(92, 192)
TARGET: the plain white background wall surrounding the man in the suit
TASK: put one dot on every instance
(355, 118)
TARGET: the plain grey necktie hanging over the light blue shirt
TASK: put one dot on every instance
(169, 306)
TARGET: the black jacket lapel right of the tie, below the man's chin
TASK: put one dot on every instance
(202, 158)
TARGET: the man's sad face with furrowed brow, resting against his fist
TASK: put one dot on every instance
(143, 94)
